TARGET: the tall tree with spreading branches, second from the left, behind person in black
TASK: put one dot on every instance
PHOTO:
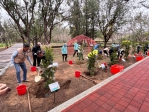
(50, 11)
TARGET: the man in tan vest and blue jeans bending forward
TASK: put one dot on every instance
(18, 60)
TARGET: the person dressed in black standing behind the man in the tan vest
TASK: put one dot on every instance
(34, 53)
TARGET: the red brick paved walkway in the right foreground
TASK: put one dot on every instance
(127, 93)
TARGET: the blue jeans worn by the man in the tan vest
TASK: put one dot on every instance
(17, 67)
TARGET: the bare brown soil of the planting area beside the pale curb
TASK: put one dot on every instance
(41, 98)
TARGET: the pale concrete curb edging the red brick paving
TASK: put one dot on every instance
(73, 100)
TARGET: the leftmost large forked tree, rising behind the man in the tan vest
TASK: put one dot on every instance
(22, 13)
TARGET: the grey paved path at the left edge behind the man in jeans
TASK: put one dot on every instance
(5, 56)
